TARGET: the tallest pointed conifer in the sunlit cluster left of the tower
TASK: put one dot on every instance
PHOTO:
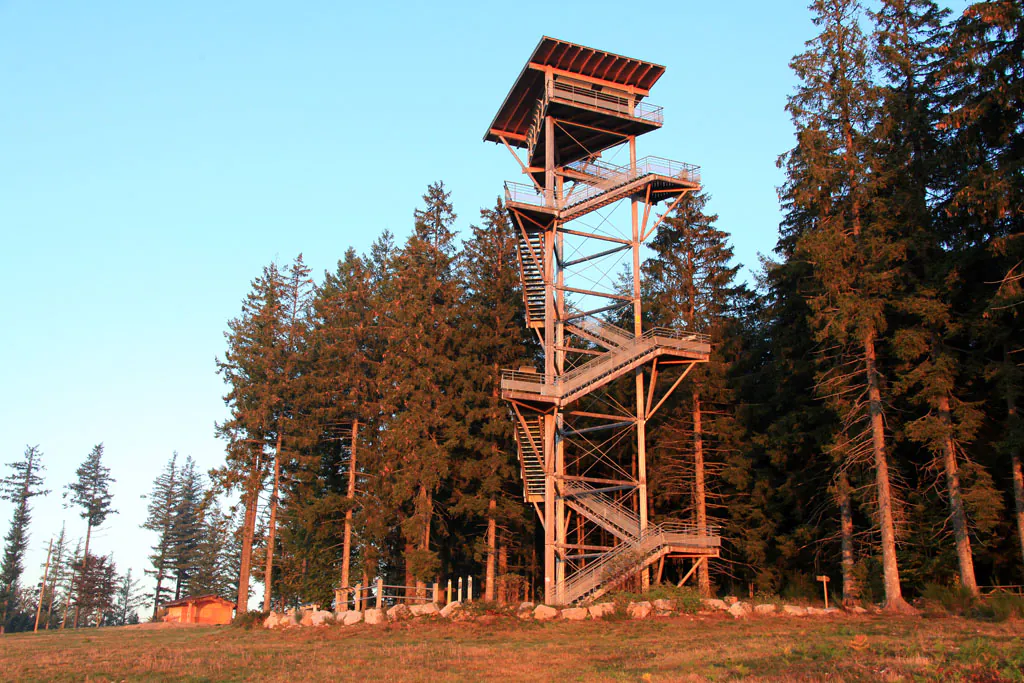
(418, 372)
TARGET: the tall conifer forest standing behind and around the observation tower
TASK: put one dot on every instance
(861, 416)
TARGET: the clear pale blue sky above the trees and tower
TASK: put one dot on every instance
(155, 156)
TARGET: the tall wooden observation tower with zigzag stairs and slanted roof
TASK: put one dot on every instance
(572, 121)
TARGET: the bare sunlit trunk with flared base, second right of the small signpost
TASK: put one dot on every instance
(890, 568)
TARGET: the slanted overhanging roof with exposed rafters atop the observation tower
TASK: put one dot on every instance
(514, 119)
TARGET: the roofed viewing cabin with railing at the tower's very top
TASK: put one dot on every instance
(599, 95)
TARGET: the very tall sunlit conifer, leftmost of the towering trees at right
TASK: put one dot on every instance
(854, 257)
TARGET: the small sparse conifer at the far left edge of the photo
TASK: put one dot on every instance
(19, 488)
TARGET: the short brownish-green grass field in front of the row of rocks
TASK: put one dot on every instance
(681, 649)
